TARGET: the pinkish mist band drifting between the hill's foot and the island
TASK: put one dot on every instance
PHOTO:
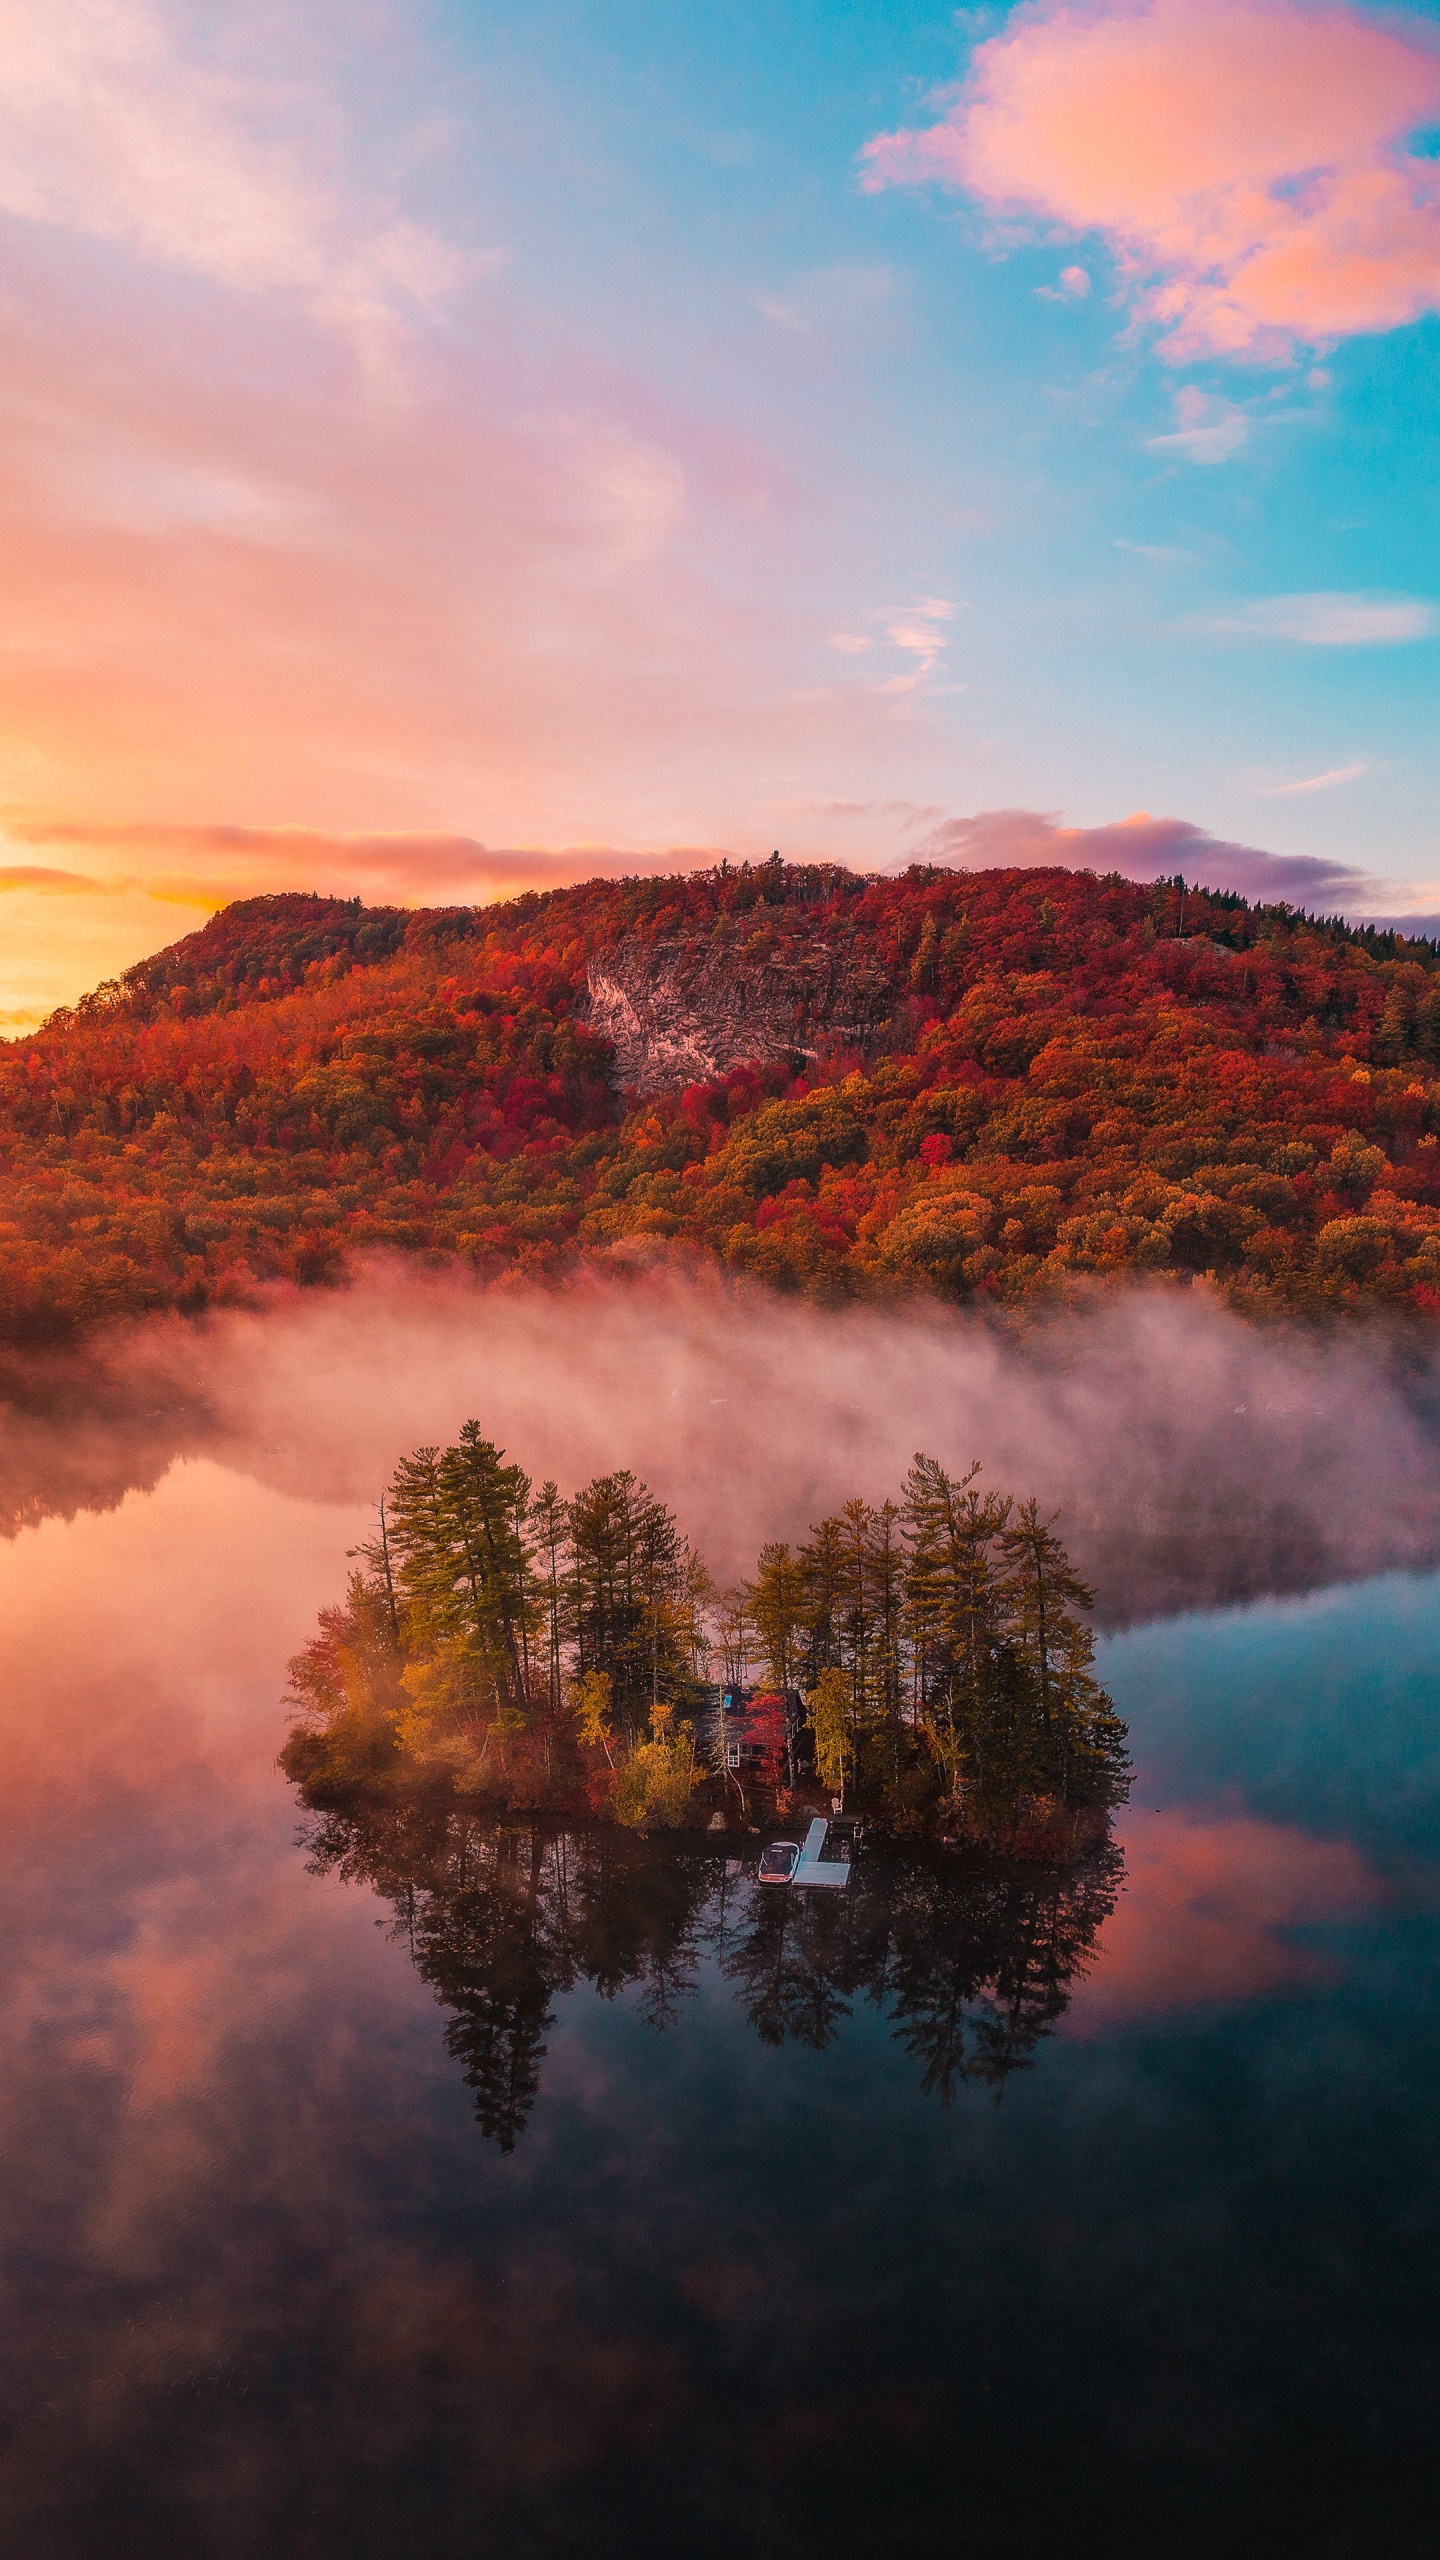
(1190, 1455)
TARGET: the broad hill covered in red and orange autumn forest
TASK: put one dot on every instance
(995, 1087)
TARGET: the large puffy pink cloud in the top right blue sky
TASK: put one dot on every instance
(1244, 160)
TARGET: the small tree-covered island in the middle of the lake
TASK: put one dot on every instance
(924, 1663)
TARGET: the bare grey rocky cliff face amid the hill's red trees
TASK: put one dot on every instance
(683, 1012)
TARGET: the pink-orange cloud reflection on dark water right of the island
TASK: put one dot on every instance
(1208, 1914)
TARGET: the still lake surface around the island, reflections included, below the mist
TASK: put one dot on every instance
(962, 2218)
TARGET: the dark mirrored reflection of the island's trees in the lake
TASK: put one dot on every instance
(972, 1967)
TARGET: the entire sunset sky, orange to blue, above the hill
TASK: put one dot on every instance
(452, 449)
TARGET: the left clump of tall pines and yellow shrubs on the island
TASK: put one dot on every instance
(521, 1645)
